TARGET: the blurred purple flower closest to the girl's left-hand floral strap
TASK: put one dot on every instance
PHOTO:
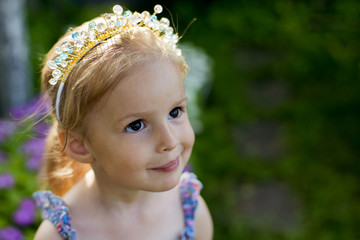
(25, 214)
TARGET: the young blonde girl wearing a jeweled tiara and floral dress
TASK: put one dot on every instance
(121, 135)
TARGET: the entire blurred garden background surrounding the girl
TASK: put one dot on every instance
(275, 104)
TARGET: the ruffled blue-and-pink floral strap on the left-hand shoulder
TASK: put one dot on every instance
(54, 209)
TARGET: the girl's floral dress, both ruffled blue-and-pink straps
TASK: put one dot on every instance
(54, 209)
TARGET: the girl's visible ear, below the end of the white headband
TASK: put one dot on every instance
(75, 147)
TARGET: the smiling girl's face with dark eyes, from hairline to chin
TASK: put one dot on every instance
(140, 137)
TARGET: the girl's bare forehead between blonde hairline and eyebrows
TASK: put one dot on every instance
(148, 87)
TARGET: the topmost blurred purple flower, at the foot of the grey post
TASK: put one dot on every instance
(37, 105)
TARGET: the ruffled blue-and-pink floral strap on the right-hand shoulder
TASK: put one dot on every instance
(190, 188)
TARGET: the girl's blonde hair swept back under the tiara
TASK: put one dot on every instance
(94, 76)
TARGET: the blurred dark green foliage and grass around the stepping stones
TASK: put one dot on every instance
(309, 47)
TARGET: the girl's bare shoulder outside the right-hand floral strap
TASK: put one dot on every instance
(203, 222)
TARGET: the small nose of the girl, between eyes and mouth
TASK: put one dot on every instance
(167, 138)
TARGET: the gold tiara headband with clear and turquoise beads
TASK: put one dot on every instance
(69, 53)
